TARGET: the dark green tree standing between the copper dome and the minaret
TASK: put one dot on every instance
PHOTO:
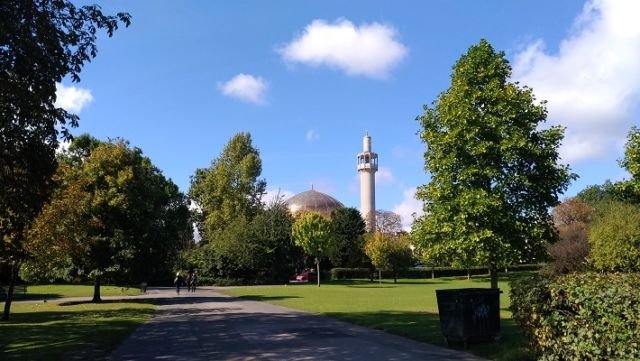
(348, 230)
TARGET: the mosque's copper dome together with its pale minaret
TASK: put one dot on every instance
(312, 201)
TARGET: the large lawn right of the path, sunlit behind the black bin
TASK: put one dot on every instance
(408, 308)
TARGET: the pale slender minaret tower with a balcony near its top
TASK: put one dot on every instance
(367, 167)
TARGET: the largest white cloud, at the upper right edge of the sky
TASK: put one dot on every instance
(593, 82)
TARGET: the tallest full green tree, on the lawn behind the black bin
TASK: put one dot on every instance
(494, 171)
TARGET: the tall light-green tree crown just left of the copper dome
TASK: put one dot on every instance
(229, 188)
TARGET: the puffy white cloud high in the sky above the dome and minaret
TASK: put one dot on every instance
(369, 50)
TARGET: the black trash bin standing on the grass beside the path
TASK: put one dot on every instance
(469, 314)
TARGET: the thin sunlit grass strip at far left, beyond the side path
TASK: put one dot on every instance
(49, 292)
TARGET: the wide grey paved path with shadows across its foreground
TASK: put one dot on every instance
(212, 326)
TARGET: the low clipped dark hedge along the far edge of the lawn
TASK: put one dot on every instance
(425, 272)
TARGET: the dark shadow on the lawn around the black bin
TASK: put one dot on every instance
(425, 327)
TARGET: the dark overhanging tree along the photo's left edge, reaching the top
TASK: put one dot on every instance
(41, 42)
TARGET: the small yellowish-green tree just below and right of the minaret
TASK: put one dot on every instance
(389, 253)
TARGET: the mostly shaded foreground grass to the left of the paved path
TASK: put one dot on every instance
(82, 331)
